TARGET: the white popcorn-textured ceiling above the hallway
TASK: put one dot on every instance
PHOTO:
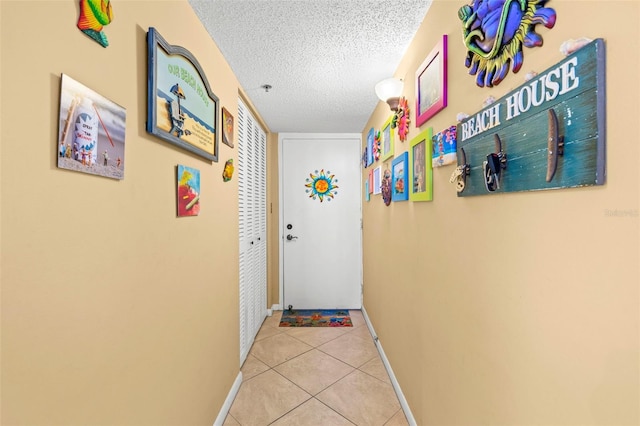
(321, 57)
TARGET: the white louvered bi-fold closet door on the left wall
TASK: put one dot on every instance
(252, 192)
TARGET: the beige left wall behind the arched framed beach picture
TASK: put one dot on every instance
(113, 310)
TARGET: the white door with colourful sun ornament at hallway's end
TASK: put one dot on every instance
(321, 221)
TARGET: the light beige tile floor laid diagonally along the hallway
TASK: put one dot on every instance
(315, 376)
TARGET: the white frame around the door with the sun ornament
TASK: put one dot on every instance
(281, 137)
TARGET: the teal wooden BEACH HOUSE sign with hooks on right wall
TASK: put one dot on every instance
(549, 133)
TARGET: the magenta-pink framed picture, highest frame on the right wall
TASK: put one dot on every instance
(431, 83)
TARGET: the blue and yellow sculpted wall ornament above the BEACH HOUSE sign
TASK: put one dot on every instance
(495, 31)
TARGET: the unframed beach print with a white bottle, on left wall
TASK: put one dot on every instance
(91, 131)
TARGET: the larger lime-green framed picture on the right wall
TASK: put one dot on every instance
(421, 172)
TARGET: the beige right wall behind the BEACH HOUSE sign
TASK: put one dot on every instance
(516, 308)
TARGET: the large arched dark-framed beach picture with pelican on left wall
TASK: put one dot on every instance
(181, 108)
